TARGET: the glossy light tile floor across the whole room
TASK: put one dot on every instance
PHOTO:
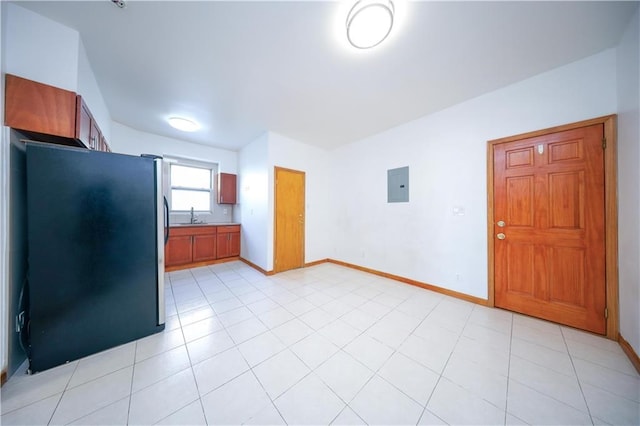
(332, 345)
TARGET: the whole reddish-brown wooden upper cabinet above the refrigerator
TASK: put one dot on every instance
(53, 114)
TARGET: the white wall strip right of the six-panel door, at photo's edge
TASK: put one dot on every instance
(629, 177)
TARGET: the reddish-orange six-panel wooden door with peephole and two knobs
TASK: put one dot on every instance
(549, 227)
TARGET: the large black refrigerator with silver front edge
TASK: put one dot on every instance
(96, 234)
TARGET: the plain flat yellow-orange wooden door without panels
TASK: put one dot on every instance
(289, 219)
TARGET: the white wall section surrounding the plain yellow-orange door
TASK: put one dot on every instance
(289, 153)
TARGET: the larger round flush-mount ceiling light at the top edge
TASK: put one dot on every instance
(369, 22)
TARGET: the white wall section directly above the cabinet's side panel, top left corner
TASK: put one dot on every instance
(40, 49)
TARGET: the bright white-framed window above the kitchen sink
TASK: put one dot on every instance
(191, 187)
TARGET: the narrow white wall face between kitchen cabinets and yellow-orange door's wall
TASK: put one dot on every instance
(253, 208)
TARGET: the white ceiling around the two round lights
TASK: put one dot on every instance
(241, 68)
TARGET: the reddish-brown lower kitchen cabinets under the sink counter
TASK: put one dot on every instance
(190, 245)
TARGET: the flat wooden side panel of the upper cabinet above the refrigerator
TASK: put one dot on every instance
(40, 108)
